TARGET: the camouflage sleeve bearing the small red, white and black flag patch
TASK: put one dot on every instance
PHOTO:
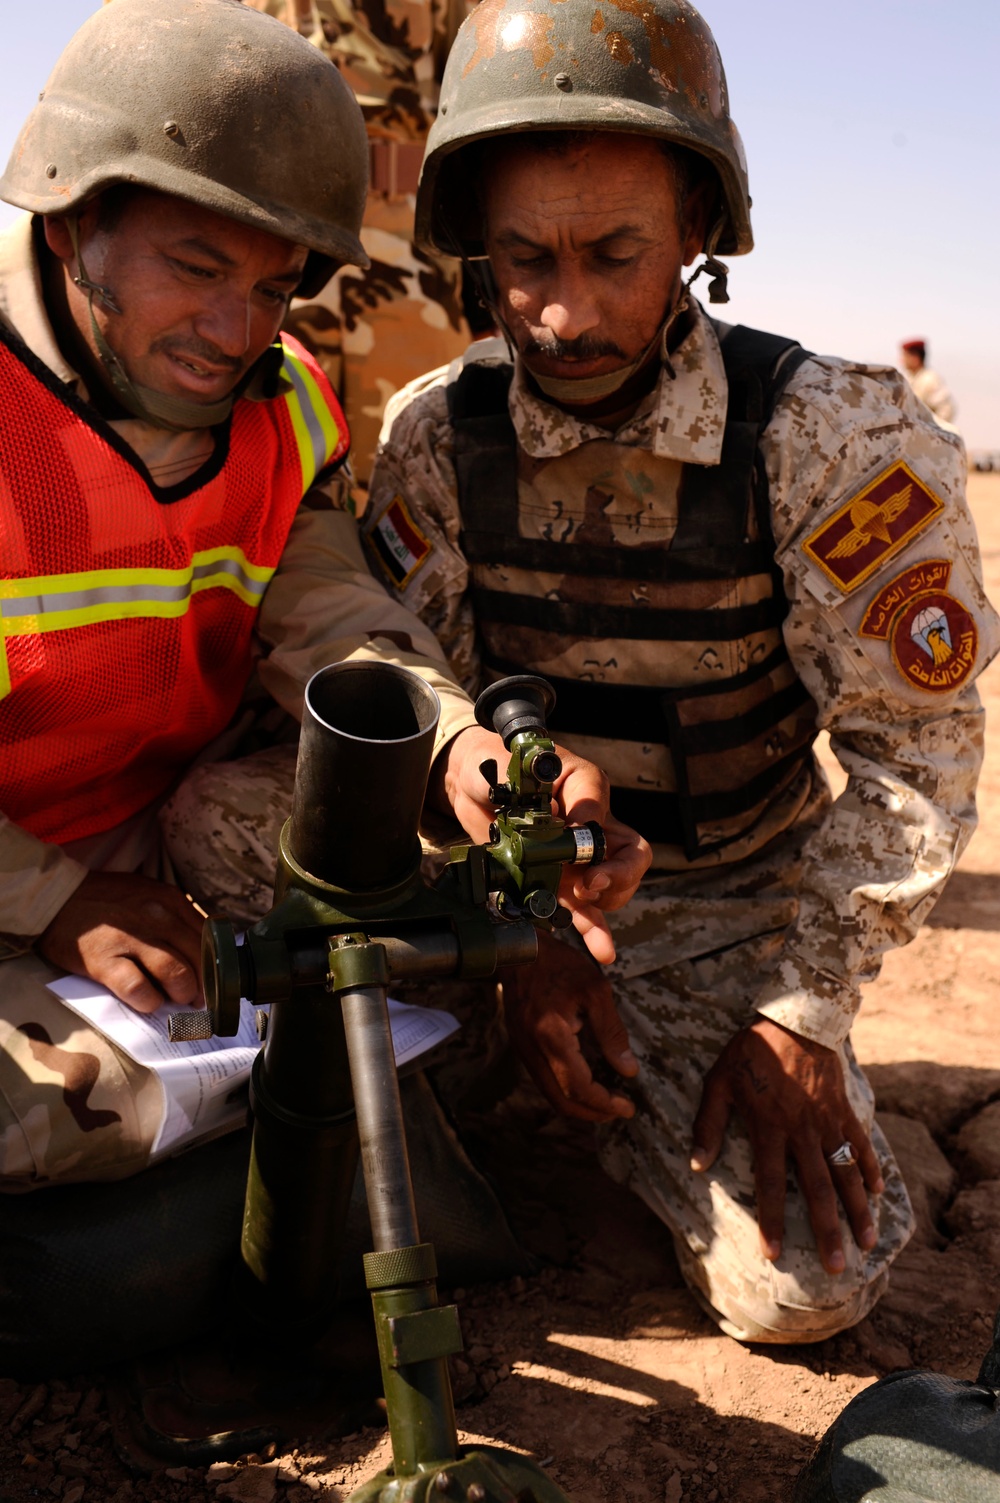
(413, 522)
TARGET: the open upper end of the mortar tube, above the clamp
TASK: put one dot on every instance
(362, 775)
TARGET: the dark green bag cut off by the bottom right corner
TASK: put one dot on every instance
(914, 1438)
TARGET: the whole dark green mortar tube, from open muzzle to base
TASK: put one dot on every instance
(365, 760)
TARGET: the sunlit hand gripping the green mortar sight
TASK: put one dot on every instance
(581, 794)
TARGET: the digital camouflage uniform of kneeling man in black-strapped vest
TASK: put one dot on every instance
(795, 916)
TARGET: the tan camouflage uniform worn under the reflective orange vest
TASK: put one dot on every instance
(73, 1105)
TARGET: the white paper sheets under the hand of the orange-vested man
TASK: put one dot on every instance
(202, 1080)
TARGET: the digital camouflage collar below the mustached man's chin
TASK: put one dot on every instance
(683, 419)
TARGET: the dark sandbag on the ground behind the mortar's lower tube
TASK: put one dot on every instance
(97, 1274)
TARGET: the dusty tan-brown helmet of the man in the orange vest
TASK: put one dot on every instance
(210, 101)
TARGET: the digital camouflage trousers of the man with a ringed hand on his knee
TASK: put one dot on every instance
(691, 955)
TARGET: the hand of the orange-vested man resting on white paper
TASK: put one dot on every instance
(139, 939)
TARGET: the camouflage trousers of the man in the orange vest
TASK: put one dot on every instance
(74, 1105)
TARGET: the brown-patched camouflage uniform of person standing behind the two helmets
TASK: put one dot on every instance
(375, 331)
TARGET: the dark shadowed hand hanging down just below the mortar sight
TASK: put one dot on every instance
(547, 1008)
